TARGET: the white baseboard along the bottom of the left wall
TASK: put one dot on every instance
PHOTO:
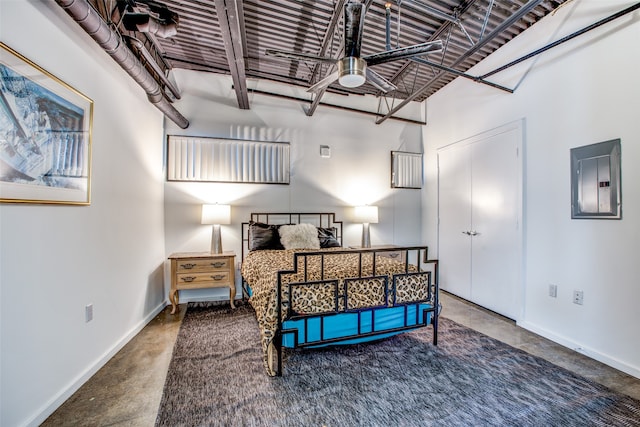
(55, 402)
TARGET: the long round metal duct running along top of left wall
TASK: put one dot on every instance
(111, 42)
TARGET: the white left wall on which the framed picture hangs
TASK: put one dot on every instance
(57, 259)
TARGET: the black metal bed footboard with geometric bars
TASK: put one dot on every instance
(416, 313)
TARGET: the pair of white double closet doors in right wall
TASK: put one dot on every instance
(481, 258)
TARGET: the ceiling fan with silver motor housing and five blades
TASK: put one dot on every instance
(353, 69)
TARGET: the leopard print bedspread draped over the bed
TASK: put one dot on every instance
(355, 290)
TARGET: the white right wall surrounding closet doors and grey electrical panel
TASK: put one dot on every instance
(580, 93)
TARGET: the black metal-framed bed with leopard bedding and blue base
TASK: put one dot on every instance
(310, 291)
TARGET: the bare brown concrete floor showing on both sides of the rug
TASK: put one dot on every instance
(128, 389)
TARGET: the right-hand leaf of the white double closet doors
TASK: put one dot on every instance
(495, 224)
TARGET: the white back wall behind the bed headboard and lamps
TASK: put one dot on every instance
(358, 171)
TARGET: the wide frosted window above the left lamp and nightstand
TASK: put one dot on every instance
(227, 160)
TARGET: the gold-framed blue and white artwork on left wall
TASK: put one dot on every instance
(45, 135)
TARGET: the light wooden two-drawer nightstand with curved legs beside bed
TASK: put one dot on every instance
(198, 270)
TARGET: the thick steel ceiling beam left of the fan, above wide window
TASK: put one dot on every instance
(232, 28)
